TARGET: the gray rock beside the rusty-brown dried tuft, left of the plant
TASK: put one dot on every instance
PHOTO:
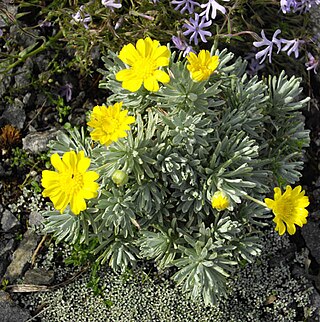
(37, 142)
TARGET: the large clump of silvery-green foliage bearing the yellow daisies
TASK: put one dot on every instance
(231, 133)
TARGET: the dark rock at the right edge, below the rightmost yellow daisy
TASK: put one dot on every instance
(311, 233)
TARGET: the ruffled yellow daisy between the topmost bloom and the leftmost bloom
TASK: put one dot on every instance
(109, 123)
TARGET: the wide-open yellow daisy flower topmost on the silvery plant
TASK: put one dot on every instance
(144, 61)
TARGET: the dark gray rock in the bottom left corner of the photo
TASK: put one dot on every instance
(10, 312)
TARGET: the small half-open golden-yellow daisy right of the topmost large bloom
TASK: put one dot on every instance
(202, 66)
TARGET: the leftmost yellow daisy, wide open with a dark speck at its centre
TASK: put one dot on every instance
(71, 183)
